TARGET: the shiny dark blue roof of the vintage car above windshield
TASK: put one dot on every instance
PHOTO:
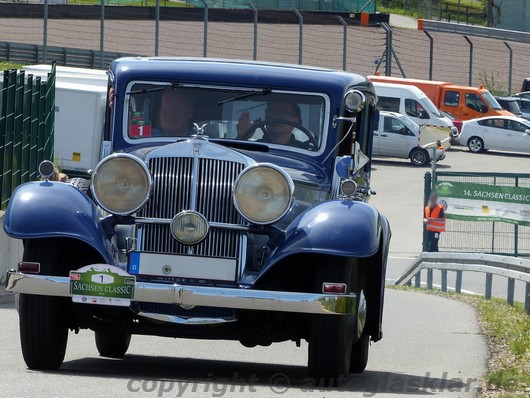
(245, 73)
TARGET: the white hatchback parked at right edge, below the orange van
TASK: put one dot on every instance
(504, 133)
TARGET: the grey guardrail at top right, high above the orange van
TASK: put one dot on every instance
(473, 30)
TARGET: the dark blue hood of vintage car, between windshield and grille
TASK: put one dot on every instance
(300, 167)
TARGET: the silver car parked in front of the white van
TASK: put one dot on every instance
(398, 136)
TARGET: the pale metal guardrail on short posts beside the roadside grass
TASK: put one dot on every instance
(512, 268)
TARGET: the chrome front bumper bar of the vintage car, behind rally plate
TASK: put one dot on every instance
(245, 299)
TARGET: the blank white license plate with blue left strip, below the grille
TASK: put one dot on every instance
(181, 266)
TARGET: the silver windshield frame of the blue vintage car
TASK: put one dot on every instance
(168, 140)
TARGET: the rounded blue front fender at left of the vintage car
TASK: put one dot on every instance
(55, 210)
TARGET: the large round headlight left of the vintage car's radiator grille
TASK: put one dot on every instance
(121, 184)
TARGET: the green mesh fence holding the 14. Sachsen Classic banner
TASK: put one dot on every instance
(483, 237)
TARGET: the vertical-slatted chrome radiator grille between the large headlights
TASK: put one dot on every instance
(203, 185)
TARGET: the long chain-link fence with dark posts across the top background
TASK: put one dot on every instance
(334, 40)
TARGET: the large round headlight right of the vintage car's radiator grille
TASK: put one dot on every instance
(263, 193)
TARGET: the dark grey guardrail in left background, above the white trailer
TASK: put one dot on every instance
(21, 53)
